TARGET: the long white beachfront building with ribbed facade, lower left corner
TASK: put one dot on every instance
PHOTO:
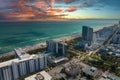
(15, 68)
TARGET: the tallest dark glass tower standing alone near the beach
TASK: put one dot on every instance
(87, 34)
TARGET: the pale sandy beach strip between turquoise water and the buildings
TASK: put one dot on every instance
(43, 44)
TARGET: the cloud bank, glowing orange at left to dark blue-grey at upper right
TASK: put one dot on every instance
(16, 9)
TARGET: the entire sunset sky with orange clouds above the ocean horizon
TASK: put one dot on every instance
(59, 9)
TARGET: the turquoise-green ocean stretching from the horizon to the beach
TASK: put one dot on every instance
(21, 34)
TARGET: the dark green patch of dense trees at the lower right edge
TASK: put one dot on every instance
(106, 63)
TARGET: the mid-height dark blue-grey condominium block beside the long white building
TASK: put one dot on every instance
(56, 47)
